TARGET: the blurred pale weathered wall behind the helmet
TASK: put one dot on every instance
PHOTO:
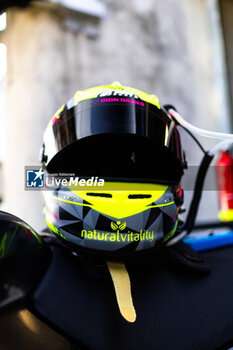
(179, 50)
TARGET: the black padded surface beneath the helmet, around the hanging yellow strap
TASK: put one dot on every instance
(175, 309)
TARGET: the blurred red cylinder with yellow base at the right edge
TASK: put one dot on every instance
(225, 185)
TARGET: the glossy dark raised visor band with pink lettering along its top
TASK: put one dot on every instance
(98, 116)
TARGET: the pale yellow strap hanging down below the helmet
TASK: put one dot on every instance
(121, 281)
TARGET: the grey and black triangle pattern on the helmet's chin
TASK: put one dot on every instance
(159, 218)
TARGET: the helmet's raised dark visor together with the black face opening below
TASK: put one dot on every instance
(115, 137)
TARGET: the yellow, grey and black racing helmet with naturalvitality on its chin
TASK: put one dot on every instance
(127, 146)
